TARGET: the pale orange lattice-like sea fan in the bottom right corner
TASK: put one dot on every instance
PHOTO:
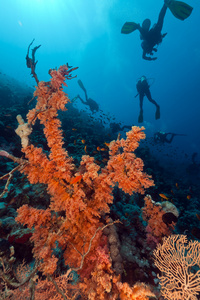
(179, 262)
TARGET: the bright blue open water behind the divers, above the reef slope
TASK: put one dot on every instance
(86, 33)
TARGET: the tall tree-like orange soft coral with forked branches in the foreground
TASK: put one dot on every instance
(80, 196)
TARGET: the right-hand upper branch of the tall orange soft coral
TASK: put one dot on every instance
(124, 167)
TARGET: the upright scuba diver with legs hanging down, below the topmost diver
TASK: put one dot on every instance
(143, 90)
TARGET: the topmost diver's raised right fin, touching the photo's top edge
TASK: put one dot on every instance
(179, 9)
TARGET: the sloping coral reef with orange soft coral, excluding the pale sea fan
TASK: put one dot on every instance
(89, 231)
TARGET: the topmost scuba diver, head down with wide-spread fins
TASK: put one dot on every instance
(153, 37)
